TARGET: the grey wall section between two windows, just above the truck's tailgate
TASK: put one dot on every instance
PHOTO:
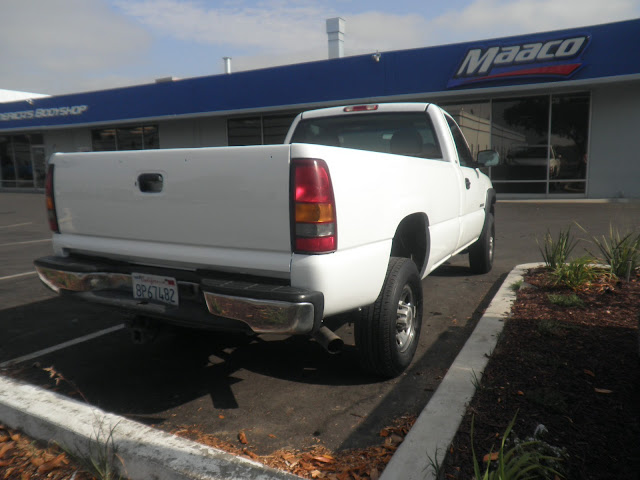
(202, 132)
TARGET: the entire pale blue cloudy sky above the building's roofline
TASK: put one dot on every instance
(68, 46)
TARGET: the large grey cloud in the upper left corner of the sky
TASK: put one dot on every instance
(63, 41)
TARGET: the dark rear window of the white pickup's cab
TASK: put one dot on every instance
(402, 133)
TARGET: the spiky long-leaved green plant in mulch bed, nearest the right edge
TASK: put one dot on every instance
(621, 252)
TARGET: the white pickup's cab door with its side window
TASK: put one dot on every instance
(472, 194)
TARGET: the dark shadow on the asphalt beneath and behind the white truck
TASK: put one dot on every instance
(179, 366)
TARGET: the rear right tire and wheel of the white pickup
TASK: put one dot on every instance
(387, 332)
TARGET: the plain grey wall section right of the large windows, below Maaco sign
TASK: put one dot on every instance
(614, 171)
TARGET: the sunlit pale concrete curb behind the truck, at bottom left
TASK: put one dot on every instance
(146, 453)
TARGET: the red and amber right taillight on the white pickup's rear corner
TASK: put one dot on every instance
(313, 209)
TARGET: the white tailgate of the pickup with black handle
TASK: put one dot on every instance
(214, 203)
